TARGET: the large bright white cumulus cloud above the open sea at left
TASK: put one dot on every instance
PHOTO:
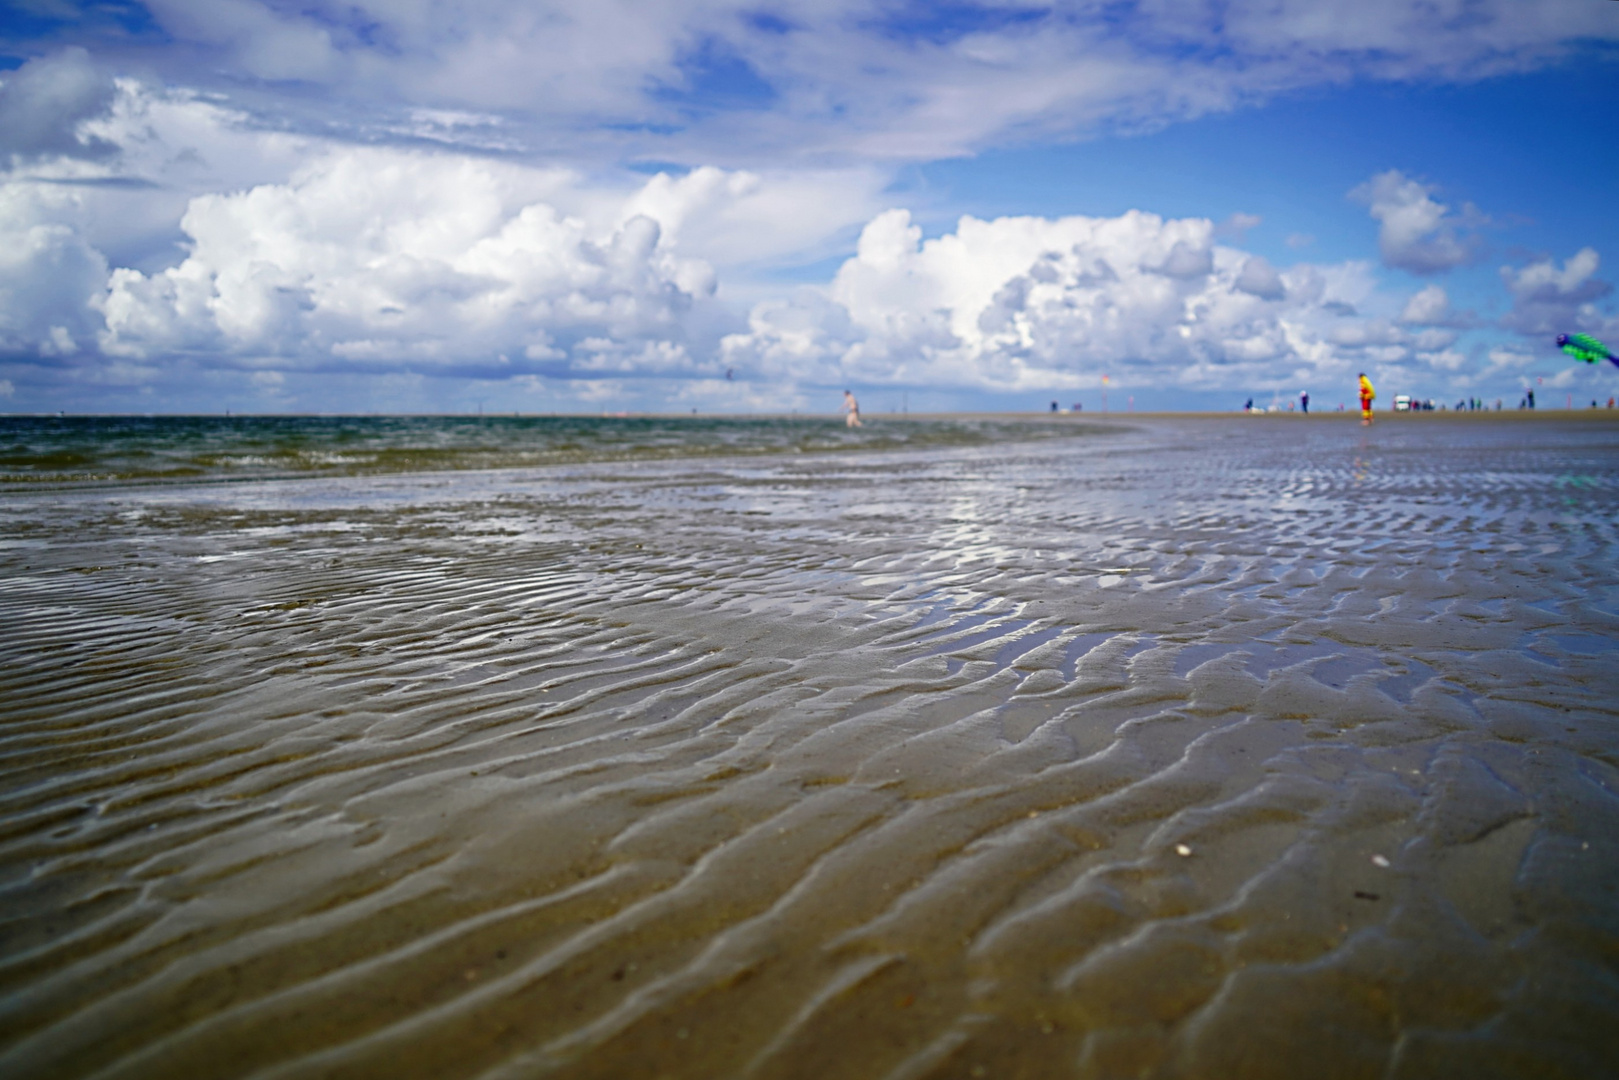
(394, 258)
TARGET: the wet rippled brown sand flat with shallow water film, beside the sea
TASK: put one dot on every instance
(1230, 747)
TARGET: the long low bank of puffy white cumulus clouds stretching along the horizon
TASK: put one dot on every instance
(378, 260)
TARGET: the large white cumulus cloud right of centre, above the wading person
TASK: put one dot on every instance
(1027, 304)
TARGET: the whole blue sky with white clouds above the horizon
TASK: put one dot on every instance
(595, 206)
